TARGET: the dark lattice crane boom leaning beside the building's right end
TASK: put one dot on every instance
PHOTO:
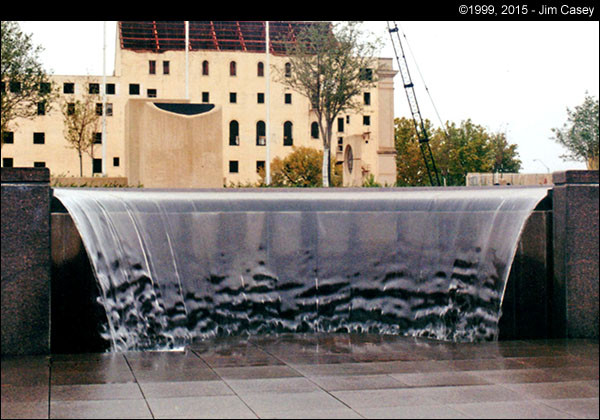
(414, 106)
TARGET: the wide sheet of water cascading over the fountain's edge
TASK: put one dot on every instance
(177, 266)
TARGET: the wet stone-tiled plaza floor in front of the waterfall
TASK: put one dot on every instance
(312, 376)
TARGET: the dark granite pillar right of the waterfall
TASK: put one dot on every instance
(575, 230)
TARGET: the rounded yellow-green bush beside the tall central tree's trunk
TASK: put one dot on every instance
(301, 168)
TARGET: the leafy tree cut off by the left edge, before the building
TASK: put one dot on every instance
(25, 84)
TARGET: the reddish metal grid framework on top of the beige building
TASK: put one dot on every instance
(160, 36)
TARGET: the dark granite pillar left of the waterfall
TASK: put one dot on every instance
(25, 260)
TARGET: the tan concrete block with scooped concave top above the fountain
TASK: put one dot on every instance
(178, 146)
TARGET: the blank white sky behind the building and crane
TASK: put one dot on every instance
(516, 77)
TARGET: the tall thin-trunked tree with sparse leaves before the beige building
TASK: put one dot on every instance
(330, 65)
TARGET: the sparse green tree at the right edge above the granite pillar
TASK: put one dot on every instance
(579, 135)
